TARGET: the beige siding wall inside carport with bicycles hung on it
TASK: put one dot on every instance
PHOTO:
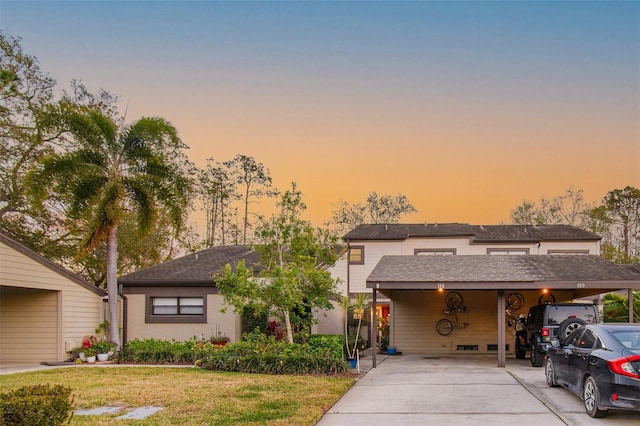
(414, 315)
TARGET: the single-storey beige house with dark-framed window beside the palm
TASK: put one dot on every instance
(179, 300)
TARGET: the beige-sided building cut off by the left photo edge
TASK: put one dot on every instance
(45, 310)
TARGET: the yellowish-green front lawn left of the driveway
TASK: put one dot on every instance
(192, 395)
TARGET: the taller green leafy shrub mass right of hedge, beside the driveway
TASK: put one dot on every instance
(258, 353)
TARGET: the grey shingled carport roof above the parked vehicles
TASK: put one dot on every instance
(494, 272)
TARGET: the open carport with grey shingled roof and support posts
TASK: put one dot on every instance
(423, 278)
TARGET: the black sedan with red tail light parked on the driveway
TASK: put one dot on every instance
(601, 364)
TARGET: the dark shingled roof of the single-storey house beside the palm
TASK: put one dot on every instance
(194, 268)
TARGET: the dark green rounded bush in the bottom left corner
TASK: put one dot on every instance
(36, 405)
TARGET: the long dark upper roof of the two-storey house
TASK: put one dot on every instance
(478, 233)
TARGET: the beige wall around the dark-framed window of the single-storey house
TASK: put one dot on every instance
(228, 323)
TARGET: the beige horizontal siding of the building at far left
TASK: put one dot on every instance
(78, 310)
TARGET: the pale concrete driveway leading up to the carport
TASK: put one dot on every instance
(461, 390)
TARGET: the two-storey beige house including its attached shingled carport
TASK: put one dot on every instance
(409, 269)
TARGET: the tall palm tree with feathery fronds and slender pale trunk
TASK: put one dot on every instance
(111, 170)
